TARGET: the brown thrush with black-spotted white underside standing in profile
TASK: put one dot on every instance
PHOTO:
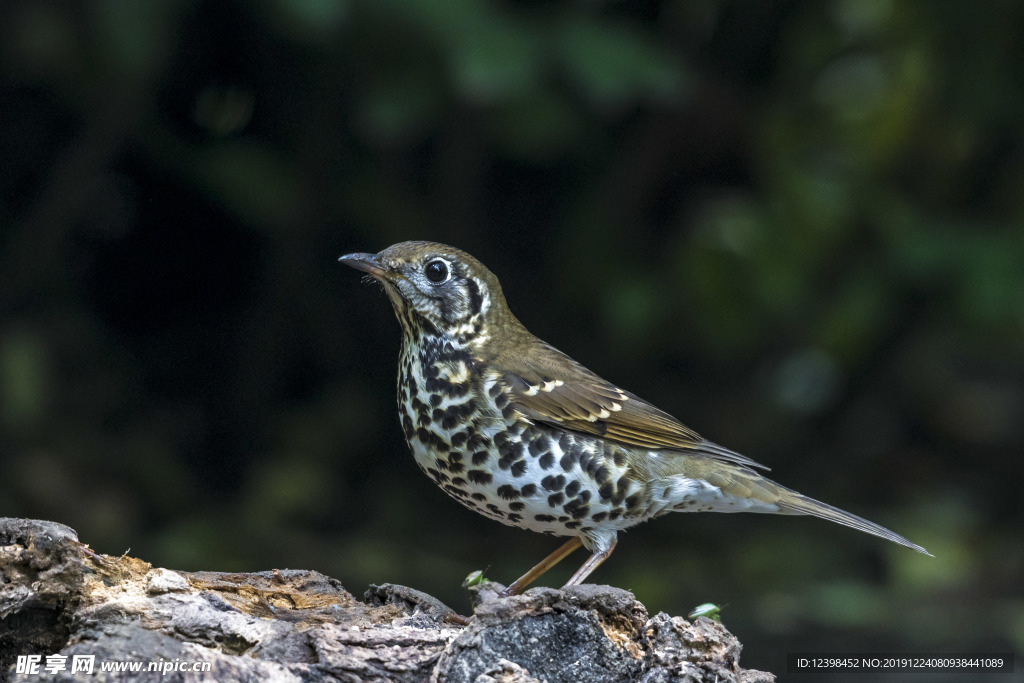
(519, 432)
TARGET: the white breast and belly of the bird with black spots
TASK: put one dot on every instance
(492, 460)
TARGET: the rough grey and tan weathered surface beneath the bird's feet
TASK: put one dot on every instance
(60, 597)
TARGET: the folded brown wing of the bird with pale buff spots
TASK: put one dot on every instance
(550, 388)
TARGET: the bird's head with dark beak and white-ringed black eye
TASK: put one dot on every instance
(436, 289)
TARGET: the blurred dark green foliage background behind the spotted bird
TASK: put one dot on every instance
(797, 226)
